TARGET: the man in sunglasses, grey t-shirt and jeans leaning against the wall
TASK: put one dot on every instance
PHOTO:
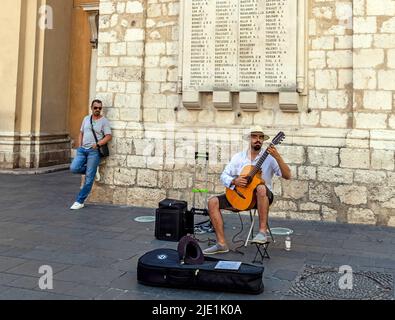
(87, 159)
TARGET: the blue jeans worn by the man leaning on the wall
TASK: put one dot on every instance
(86, 162)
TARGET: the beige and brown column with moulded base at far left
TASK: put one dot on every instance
(34, 83)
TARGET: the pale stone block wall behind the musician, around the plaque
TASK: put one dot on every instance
(340, 145)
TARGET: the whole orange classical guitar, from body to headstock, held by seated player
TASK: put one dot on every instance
(243, 198)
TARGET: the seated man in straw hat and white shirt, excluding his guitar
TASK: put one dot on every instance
(273, 165)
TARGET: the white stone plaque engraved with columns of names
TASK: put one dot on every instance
(240, 45)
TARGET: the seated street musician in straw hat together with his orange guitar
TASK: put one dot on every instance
(248, 179)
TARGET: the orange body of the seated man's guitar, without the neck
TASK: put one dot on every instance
(244, 198)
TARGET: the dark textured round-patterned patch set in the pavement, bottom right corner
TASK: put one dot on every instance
(324, 283)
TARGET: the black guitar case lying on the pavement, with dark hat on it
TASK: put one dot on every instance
(187, 268)
